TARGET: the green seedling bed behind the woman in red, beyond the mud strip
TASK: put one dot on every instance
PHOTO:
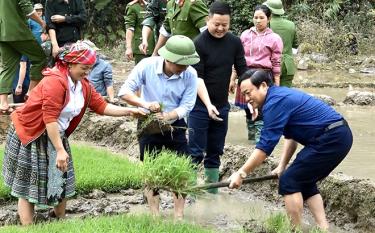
(95, 169)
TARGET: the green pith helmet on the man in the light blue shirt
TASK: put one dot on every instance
(179, 50)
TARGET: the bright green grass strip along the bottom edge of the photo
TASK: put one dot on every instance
(119, 223)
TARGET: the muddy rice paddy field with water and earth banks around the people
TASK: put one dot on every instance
(349, 193)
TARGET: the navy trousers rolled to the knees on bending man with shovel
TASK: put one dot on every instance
(316, 161)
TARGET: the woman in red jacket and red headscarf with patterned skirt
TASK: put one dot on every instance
(38, 165)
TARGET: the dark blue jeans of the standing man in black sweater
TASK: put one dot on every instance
(207, 135)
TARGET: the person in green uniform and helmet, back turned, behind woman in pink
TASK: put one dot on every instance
(286, 29)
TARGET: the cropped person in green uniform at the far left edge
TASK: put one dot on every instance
(16, 40)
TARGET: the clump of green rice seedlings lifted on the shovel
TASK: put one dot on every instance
(169, 171)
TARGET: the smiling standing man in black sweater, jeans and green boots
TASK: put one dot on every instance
(219, 50)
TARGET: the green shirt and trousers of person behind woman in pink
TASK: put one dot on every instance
(286, 29)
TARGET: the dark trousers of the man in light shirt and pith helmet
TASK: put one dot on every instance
(174, 141)
